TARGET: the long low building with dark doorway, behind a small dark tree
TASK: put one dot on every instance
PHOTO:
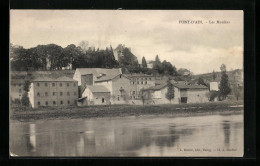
(183, 93)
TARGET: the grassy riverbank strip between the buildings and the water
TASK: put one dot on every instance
(126, 110)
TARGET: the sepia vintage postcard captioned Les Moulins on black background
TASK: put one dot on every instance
(126, 83)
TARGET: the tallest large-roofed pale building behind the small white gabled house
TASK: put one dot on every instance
(88, 76)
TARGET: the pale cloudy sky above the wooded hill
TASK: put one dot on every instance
(200, 48)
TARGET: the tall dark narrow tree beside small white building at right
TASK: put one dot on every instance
(224, 86)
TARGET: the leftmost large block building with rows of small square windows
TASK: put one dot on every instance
(45, 91)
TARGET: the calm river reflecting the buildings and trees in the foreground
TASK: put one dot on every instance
(208, 135)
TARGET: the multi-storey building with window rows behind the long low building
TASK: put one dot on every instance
(139, 82)
